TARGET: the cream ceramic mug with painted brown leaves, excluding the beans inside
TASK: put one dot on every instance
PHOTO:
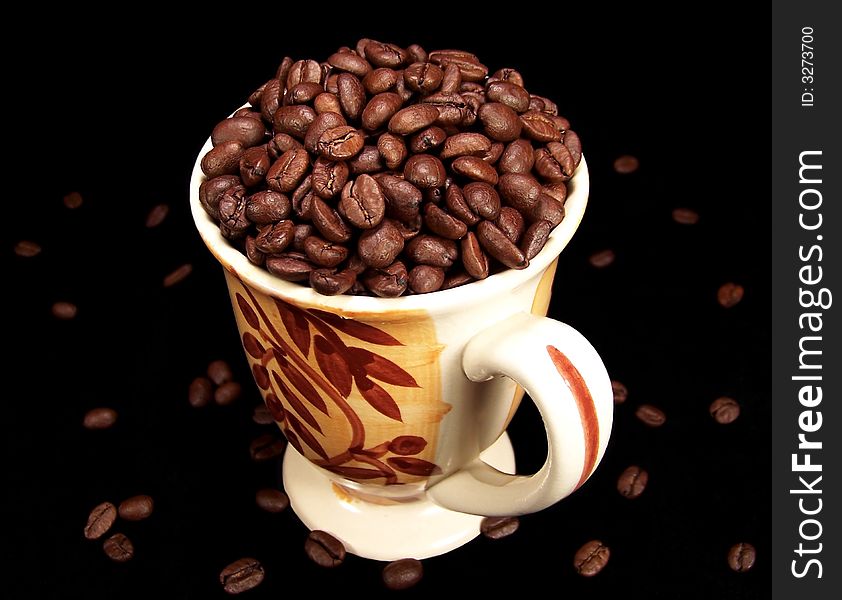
(395, 409)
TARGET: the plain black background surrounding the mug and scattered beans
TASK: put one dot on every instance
(119, 114)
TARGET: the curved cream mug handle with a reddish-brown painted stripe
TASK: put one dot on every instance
(565, 377)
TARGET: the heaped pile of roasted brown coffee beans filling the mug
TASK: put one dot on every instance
(387, 171)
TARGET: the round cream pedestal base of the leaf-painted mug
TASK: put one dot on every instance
(418, 529)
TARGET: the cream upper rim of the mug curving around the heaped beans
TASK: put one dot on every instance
(260, 279)
